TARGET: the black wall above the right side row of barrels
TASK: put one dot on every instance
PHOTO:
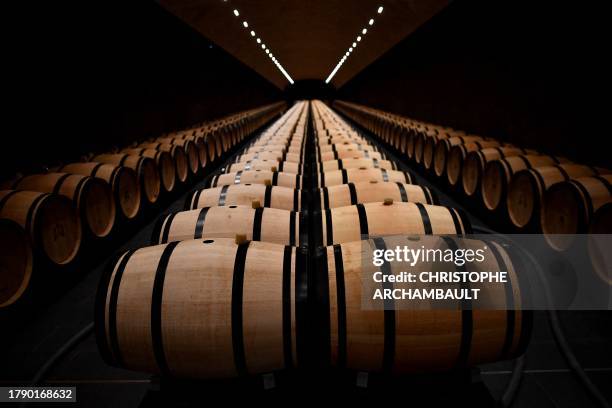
(533, 72)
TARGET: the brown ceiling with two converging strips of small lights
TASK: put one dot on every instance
(307, 37)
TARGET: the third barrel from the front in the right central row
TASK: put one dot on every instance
(355, 193)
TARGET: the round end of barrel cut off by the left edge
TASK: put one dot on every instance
(16, 262)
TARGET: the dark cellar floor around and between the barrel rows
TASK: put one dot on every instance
(547, 381)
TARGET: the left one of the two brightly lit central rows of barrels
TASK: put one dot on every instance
(221, 290)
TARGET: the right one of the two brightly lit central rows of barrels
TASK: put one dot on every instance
(363, 195)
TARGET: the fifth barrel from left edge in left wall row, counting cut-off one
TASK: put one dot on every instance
(150, 184)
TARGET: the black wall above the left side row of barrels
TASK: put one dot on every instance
(84, 77)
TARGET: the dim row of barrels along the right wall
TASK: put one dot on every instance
(531, 191)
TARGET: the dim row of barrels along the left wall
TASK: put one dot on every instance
(52, 214)
